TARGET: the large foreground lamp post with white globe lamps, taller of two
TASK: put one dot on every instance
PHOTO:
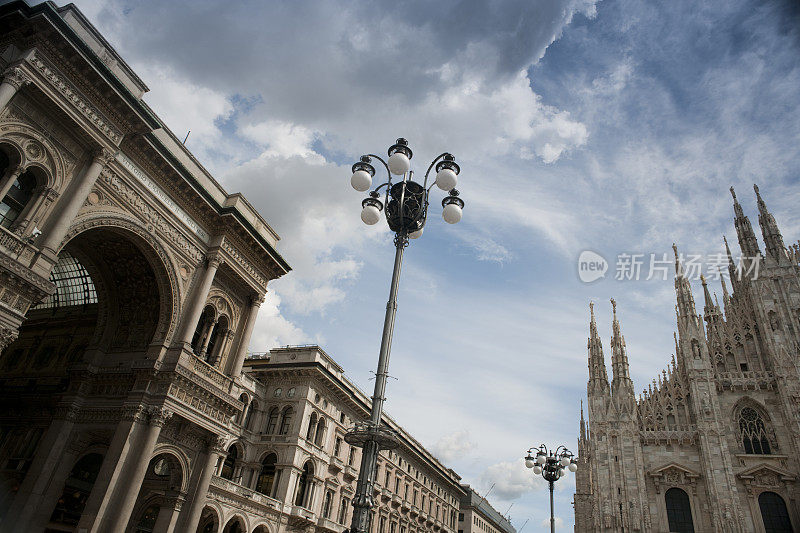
(405, 206)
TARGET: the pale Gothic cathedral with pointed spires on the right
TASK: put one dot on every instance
(714, 443)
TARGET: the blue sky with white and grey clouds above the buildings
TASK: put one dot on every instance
(613, 126)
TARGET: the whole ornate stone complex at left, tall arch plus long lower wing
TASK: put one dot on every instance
(130, 282)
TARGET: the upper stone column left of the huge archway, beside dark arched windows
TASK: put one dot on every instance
(71, 202)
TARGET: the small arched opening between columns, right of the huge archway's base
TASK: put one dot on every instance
(159, 496)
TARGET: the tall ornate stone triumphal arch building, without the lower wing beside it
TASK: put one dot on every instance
(129, 286)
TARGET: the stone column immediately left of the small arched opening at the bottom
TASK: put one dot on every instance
(127, 488)
